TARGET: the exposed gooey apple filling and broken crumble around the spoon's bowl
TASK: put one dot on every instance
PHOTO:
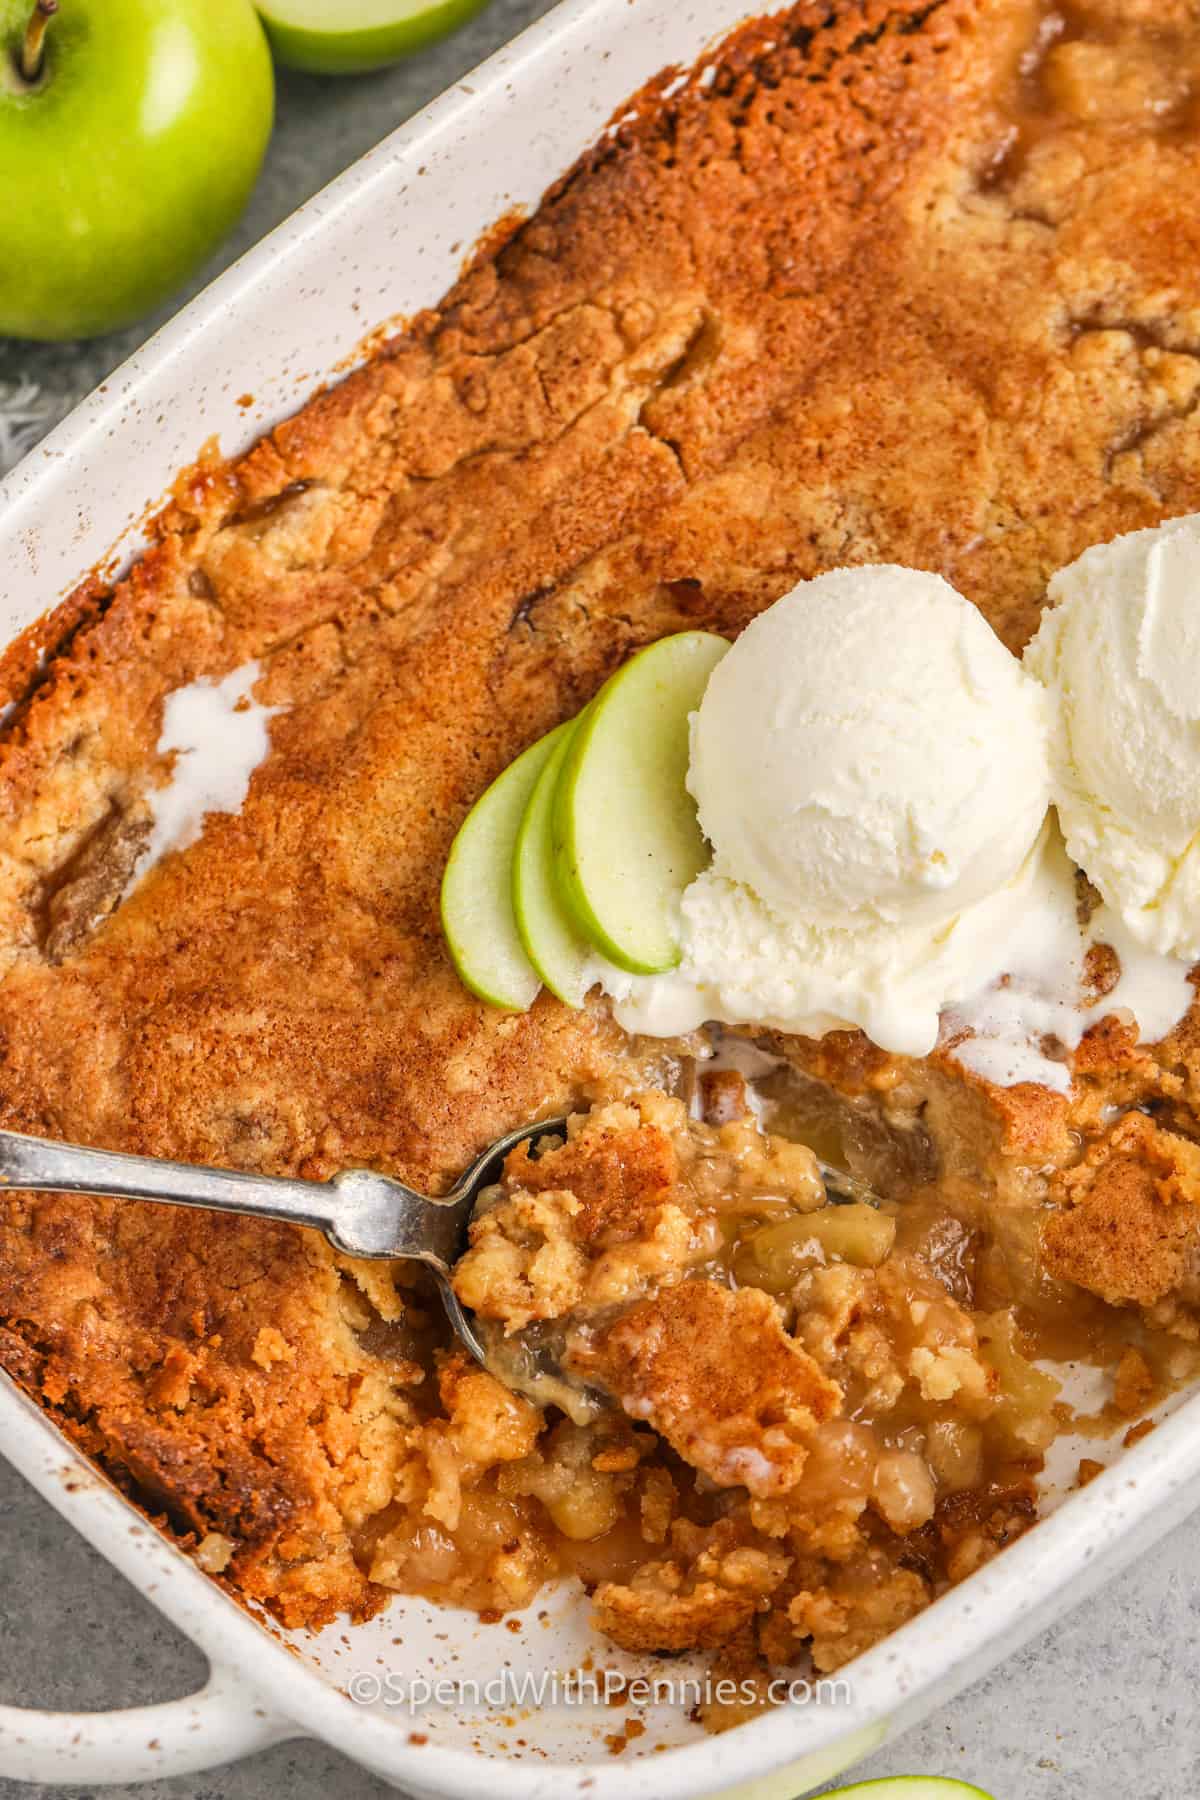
(782, 1423)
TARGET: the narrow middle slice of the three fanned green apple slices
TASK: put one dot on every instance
(555, 946)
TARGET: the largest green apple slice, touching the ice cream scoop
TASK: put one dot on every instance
(627, 840)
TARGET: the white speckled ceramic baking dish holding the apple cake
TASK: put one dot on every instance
(384, 240)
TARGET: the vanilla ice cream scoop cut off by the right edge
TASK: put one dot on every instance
(1120, 654)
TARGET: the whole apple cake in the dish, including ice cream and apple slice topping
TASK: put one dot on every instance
(902, 283)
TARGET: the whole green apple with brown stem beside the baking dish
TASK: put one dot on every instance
(130, 139)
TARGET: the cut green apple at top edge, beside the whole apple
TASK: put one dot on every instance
(355, 37)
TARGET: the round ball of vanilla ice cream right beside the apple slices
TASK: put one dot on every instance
(870, 751)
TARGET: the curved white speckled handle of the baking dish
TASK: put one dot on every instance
(220, 1723)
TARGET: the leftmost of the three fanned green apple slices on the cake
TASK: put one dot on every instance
(478, 892)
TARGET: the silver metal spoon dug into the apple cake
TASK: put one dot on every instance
(361, 1212)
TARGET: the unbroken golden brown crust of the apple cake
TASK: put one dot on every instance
(886, 289)
